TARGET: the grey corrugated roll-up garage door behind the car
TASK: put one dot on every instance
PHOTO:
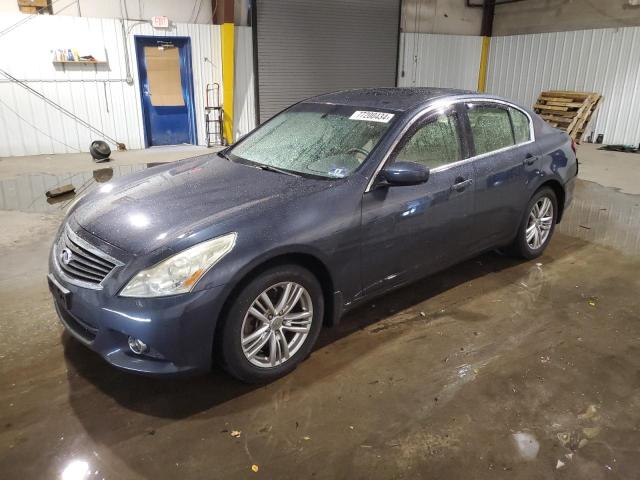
(310, 47)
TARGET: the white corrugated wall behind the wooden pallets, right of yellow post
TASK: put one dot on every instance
(604, 60)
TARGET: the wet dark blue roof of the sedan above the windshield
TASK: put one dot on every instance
(400, 99)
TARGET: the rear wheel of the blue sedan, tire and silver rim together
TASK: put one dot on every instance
(537, 226)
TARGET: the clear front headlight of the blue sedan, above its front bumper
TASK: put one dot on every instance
(180, 272)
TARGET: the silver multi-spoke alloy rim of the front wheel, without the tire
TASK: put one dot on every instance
(276, 324)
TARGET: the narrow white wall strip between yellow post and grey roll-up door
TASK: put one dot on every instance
(244, 99)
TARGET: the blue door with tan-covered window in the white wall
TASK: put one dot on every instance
(164, 69)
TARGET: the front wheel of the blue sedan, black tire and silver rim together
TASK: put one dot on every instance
(272, 324)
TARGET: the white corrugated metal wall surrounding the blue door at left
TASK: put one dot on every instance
(99, 95)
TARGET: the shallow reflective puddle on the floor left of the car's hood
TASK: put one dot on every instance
(26, 193)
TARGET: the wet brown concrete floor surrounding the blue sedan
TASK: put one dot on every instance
(495, 368)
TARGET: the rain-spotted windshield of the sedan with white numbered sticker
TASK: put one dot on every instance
(329, 141)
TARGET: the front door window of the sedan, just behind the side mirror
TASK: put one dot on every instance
(435, 144)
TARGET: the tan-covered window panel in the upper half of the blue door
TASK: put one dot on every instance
(163, 73)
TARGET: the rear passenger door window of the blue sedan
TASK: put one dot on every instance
(491, 128)
